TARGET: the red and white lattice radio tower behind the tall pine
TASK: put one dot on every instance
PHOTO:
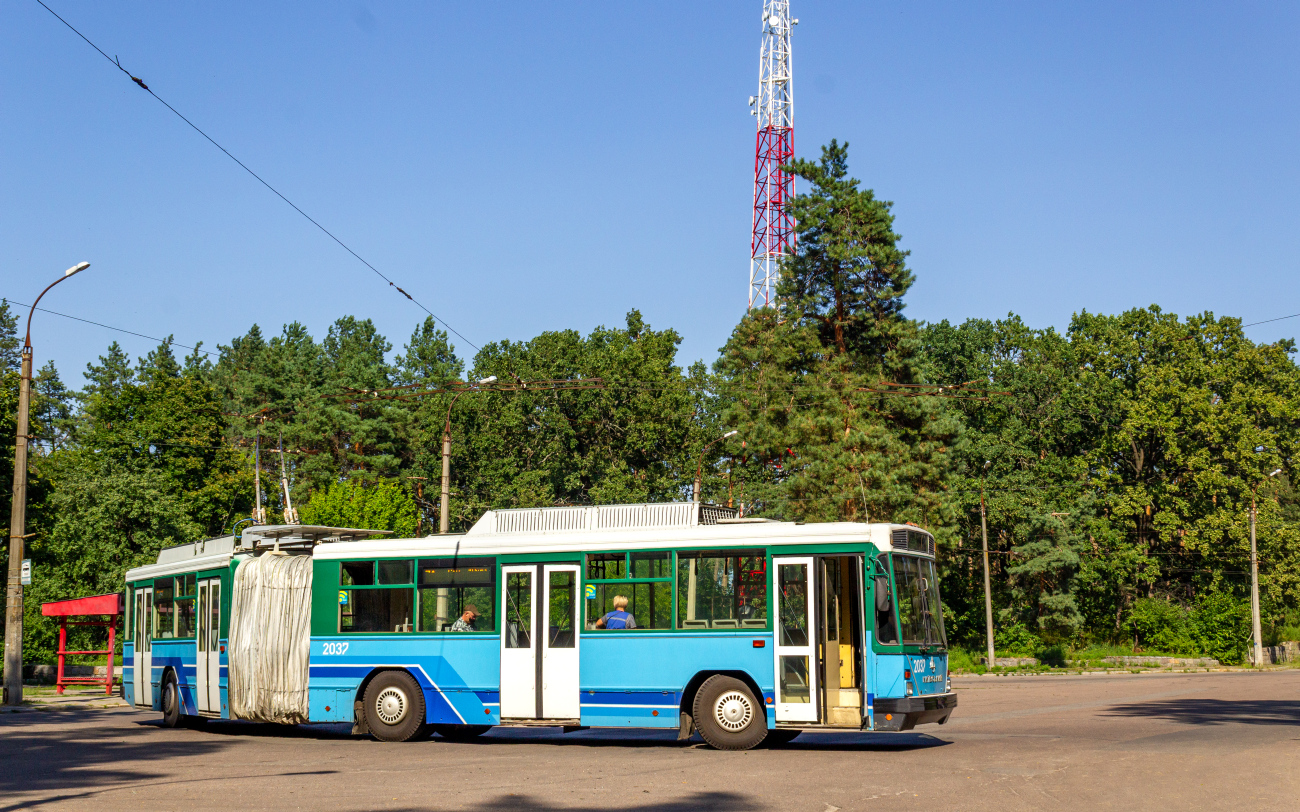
(774, 106)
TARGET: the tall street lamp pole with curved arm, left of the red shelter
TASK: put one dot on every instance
(19, 518)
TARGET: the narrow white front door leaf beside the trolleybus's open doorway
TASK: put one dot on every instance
(796, 642)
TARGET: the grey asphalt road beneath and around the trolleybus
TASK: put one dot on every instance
(1211, 741)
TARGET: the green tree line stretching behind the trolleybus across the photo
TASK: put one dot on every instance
(1117, 461)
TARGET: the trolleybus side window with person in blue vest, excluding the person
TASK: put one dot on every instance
(644, 579)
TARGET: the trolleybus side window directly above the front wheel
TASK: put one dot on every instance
(722, 590)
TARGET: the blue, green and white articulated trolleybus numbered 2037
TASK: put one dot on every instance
(679, 616)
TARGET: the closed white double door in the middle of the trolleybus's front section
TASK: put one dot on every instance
(539, 644)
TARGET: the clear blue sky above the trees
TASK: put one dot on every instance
(551, 166)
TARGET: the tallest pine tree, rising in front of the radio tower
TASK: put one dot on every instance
(804, 384)
